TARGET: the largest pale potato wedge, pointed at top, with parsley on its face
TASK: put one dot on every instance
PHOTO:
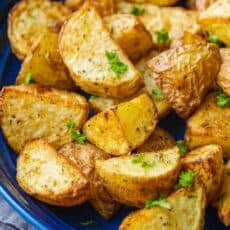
(104, 71)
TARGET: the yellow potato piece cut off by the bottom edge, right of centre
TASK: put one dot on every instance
(187, 213)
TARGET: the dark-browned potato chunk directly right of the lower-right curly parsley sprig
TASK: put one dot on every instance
(207, 162)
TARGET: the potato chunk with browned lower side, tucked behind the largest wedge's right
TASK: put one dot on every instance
(130, 34)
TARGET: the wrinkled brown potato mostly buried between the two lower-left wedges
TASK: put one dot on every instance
(84, 158)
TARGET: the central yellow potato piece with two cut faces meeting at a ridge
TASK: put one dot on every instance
(116, 132)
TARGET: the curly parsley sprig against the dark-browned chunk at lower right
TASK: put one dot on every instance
(186, 179)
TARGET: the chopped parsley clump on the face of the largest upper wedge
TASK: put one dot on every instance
(116, 66)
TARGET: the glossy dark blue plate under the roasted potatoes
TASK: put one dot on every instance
(38, 214)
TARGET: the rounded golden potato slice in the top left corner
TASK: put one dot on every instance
(28, 20)
